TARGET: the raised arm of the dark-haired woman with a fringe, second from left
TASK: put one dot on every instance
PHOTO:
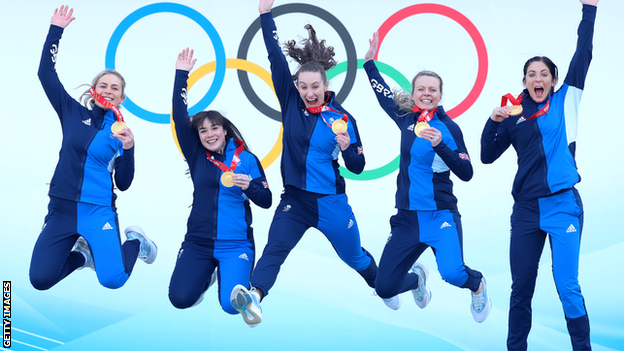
(187, 137)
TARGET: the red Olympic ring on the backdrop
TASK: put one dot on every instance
(467, 25)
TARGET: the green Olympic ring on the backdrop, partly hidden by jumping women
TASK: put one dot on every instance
(405, 85)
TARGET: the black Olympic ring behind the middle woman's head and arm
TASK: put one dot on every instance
(243, 49)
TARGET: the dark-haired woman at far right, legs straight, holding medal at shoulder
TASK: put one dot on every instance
(541, 125)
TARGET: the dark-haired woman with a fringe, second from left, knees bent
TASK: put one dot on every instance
(226, 177)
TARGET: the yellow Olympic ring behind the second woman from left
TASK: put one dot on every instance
(242, 65)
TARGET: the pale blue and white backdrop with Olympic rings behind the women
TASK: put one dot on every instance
(478, 48)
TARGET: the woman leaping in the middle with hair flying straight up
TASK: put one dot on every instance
(316, 130)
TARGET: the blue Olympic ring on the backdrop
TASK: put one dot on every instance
(113, 44)
